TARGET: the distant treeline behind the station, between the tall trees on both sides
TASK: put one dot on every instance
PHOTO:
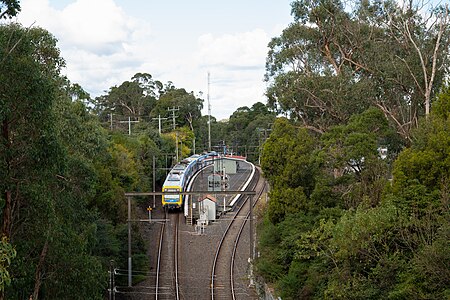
(149, 104)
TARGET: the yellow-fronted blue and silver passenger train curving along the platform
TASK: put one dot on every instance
(179, 177)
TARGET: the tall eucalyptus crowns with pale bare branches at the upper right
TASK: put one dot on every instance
(338, 58)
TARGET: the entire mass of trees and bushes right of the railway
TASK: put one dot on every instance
(345, 221)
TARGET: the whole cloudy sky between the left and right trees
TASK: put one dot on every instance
(106, 42)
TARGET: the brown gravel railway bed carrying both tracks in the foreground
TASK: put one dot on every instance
(172, 258)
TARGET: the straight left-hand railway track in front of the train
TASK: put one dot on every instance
(167, 283)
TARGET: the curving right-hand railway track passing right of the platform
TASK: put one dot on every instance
(222, 274)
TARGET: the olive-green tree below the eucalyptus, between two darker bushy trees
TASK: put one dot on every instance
(350, 161)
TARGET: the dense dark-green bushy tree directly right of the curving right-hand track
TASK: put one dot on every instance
(287, 165)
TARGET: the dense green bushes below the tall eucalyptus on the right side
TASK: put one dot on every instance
(337, 227)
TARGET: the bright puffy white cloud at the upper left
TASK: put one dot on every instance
(99, 26)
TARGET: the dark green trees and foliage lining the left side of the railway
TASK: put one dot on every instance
(63, 178)
